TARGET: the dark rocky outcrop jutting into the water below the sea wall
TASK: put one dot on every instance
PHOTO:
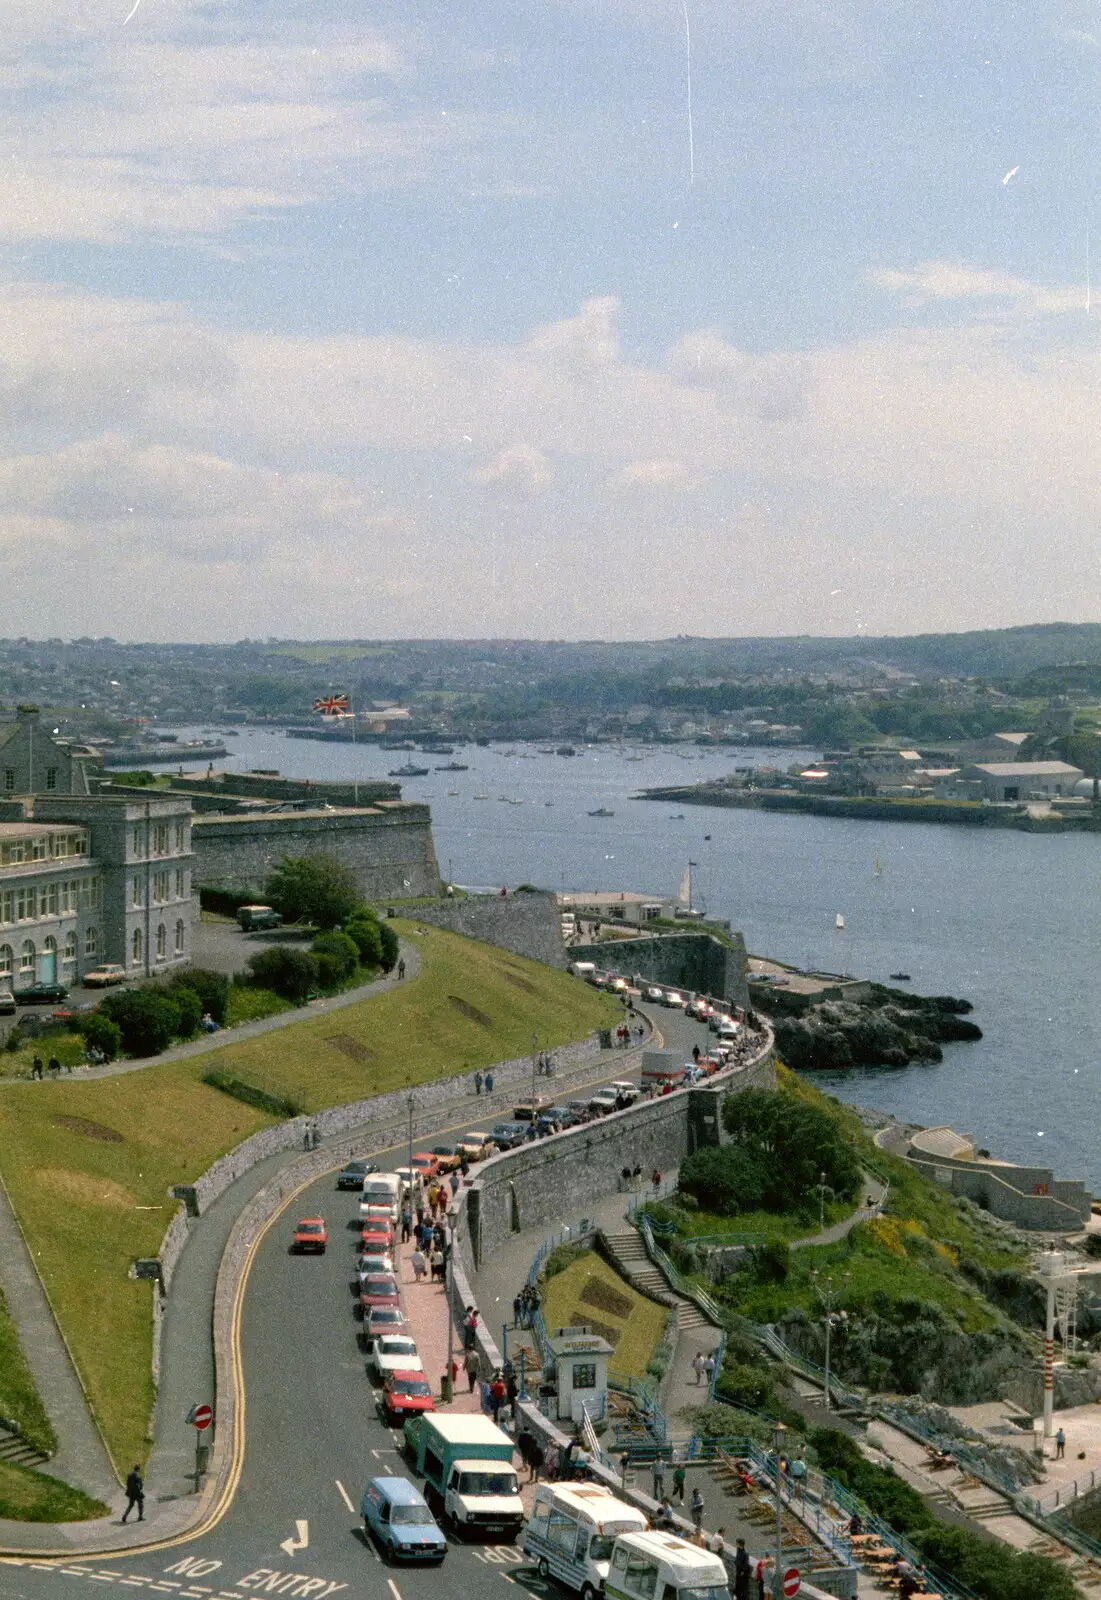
(889, 1028)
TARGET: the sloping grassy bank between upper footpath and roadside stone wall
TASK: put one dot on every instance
(89, 1164)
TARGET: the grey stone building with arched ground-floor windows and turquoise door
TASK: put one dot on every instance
(90, 879)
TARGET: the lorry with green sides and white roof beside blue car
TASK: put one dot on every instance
(466, 1463)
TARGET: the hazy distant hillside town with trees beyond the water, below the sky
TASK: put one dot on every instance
(803, 692)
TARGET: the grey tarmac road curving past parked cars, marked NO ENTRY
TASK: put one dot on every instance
(313, 1441)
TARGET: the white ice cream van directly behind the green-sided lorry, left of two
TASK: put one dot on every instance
(572, 1530)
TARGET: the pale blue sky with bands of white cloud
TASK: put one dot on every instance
(580, 319)
